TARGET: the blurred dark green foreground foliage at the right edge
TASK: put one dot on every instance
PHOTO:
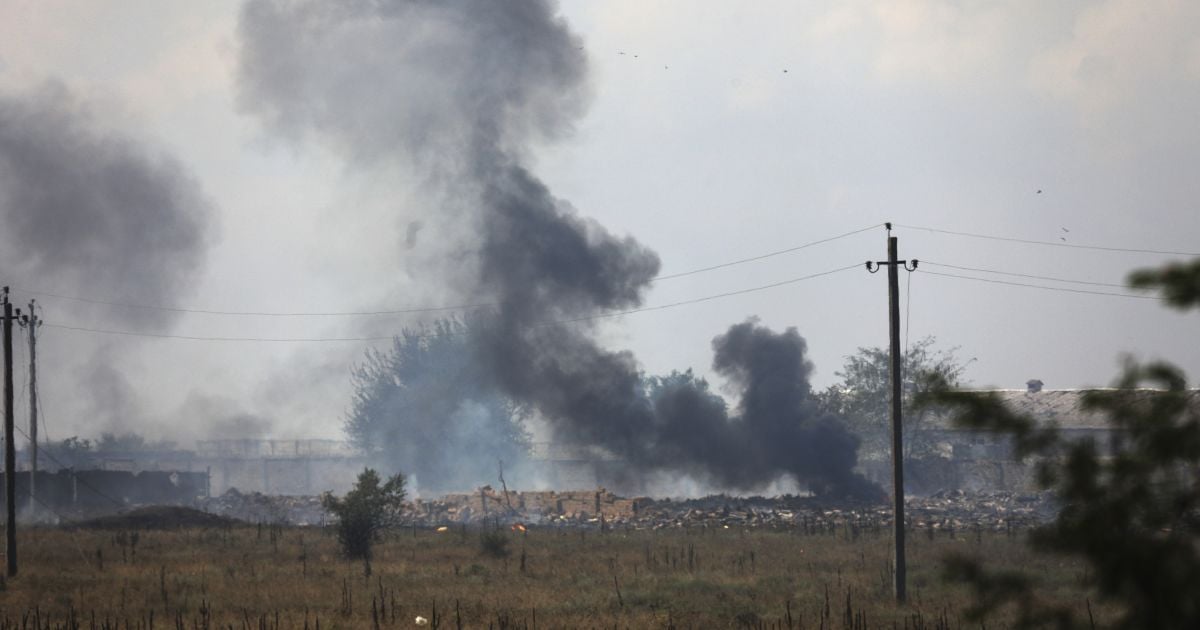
(1131, 509)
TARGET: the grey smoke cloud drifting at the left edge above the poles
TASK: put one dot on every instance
(91, 212)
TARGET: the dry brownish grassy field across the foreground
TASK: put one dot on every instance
(248, 578)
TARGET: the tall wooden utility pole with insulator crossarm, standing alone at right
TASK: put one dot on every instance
(896, 377)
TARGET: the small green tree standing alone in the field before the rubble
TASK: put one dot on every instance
(365, 511)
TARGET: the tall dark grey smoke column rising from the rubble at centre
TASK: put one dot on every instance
(463, 89)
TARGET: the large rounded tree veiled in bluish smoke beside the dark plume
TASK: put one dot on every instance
(425, 406)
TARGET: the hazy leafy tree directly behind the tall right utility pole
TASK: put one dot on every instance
(863, 398)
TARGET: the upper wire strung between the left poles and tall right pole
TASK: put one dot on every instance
(412, 310)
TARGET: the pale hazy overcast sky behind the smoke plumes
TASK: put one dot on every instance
(716, 131)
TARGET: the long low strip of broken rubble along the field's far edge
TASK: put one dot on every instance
(944, 512)
